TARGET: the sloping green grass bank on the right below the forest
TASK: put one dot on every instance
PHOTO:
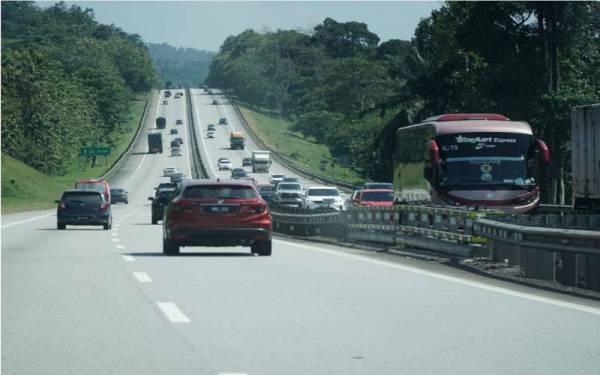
(276, 133)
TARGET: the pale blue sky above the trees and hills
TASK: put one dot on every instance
(205, 25)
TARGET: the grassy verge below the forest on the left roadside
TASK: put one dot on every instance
(25, 188)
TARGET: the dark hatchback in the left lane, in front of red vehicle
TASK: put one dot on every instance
(83, 207)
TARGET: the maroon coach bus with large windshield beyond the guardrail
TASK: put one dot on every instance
(473, 160)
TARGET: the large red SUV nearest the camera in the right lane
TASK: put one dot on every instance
(217, 213)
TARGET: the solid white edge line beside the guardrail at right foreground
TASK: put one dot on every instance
(471, 283)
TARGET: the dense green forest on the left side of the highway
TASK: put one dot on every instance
(67, 82)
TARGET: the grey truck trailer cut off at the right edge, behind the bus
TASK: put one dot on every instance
(585, 157)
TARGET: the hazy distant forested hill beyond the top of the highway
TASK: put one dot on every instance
(182, 66)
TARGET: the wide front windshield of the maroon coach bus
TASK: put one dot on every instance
(483, 159)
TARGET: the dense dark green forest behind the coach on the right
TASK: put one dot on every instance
(531, 61)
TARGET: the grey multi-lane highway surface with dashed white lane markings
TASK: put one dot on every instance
(89, 301)
